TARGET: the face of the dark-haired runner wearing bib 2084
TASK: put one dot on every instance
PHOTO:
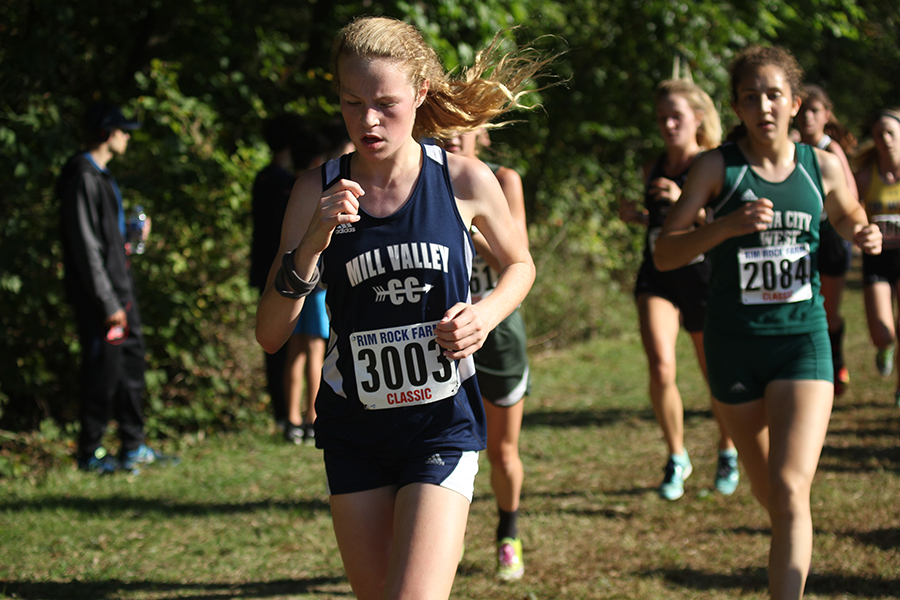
(765, 103)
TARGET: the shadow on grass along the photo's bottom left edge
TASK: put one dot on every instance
(164, 590)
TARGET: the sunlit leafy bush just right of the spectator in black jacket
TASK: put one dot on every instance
(193, 287)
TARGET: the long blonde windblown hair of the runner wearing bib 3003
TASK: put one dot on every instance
(493, 86)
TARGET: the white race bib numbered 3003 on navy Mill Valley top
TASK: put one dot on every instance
(402, 366)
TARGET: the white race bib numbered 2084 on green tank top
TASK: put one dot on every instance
(775, 274)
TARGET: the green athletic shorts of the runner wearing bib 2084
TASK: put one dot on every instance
(741, 366)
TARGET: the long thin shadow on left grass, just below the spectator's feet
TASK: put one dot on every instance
(115, 504)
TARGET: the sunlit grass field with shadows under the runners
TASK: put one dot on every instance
(246, 516)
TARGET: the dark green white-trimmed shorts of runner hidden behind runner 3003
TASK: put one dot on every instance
(501, 364)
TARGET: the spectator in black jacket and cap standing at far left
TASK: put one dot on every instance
(100, 287)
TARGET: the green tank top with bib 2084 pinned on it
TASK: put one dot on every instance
(767, 283)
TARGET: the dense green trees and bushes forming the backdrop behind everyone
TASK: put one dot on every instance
(203, 76)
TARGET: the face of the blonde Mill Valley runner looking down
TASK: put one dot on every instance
(378, 104)
